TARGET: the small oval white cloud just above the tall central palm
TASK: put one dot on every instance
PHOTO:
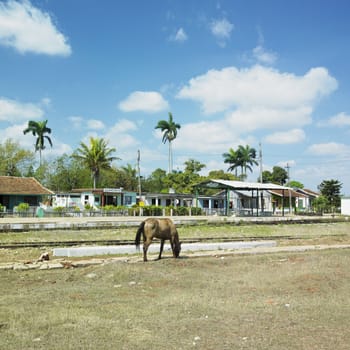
(145, 101)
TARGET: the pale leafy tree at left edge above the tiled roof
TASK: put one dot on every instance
(14, 160)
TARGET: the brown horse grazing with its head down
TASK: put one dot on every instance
(158, 228)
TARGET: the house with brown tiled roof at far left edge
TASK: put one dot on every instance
(16, 190)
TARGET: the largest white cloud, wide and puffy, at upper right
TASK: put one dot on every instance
(258, 86)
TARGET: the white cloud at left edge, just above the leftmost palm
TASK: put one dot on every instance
(14, 111)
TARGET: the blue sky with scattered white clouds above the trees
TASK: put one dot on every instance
(274, 72)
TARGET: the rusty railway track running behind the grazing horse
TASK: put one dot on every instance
(17, 245)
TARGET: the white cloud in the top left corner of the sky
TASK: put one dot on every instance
(28, 29)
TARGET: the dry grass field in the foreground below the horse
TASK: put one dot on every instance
(275, 301)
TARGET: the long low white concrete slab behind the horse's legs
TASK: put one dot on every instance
(154, 248)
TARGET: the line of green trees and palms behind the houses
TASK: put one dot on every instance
(92, 164)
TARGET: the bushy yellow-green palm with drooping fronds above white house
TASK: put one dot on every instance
(96, 156)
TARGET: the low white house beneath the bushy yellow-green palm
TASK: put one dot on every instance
(94, 198)
